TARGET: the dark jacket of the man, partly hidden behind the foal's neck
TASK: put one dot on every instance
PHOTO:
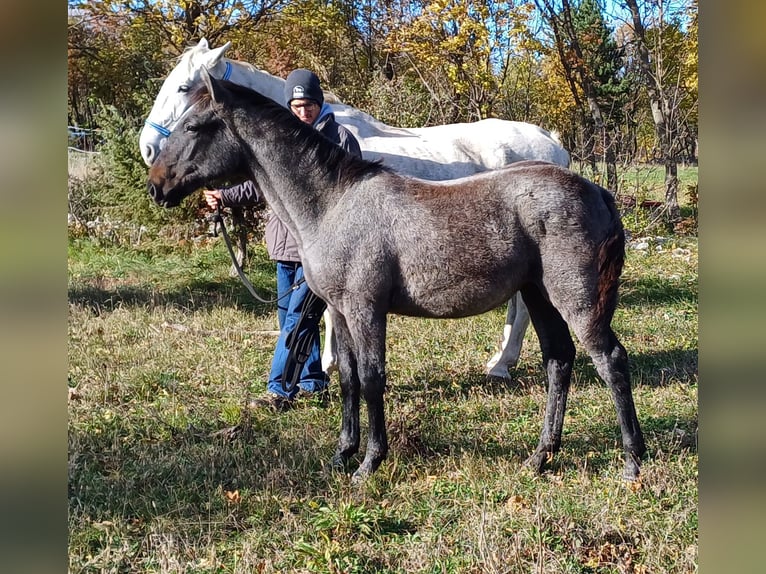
(279, 241)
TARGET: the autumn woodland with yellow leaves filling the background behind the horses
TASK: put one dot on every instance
(416, 63)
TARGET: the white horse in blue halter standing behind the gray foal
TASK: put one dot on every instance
(433, 153)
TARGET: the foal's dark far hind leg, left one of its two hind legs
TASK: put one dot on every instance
(558, 357)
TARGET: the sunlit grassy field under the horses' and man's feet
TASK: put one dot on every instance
(169, 472)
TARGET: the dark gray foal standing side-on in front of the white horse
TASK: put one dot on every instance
(374, 242)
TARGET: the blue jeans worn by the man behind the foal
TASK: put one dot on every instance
(312, 379)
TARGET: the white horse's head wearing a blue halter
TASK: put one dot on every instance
(172, 101)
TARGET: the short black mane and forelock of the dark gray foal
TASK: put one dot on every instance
(310, 143)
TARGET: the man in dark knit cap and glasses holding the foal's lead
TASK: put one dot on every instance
(304, 96)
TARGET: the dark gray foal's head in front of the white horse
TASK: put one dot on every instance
(201, 152)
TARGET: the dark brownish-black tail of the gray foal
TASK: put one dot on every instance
(610, 260)
